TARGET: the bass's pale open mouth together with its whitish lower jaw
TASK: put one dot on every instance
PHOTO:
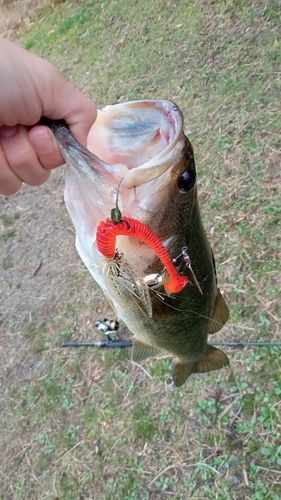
(140, 142)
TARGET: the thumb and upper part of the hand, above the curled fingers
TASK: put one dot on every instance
(41, 90)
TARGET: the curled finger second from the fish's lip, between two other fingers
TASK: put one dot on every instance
(22, 159)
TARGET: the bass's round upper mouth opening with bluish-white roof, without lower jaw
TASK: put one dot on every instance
(143, 136)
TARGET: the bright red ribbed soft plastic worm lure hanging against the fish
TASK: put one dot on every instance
(106, 239)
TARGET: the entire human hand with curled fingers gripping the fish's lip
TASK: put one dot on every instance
(30, 88)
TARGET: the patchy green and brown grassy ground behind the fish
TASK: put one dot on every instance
(88, 423)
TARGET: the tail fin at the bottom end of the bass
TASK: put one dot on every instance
(214, 359)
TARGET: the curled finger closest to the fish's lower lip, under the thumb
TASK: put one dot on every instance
(43, 141)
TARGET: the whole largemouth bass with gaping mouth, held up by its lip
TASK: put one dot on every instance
(138, 150)
